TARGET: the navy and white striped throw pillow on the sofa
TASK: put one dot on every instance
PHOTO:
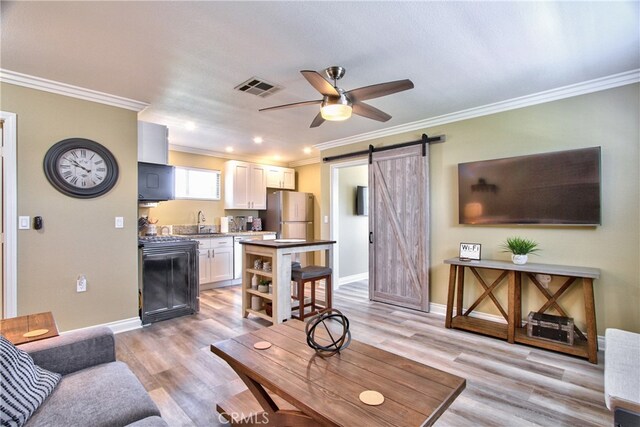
(23, 384)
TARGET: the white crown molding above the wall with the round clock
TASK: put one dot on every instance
(45, 85)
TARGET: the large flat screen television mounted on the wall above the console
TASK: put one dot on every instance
(558, 188)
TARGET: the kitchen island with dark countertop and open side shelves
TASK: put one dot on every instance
(280, 254)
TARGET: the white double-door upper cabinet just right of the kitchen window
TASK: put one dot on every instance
(245, 185)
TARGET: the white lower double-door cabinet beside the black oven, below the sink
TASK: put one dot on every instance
(215, 259)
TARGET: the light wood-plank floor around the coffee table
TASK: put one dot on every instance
(507, 385)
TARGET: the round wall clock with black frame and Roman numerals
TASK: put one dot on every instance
(81, 168)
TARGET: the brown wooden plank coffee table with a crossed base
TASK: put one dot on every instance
(289, 385)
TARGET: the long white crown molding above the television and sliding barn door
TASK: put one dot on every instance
(590, 86)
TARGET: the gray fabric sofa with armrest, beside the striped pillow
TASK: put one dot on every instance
(95, 389)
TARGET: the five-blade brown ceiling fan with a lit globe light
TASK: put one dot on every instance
(338, 104)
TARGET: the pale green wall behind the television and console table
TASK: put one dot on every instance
(608, 119)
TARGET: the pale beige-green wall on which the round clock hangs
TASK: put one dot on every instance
(79, 236)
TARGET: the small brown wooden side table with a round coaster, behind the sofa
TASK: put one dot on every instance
(15, 328)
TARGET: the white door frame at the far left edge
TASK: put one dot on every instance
(10, 206)
